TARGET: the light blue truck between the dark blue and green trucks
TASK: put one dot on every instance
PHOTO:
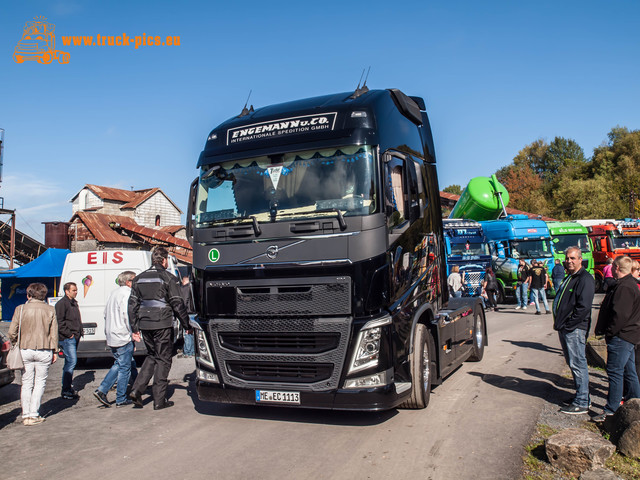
(511, 239)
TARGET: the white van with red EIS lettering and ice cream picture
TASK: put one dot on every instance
(96, 275)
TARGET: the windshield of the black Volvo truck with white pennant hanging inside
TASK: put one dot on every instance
(300, 184)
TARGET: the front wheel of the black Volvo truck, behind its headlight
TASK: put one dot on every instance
(422, 368)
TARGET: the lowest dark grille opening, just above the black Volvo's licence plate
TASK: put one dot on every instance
(280, 372)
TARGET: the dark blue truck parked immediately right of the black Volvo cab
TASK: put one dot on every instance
(467, 247)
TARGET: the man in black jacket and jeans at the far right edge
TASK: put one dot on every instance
(619, 322)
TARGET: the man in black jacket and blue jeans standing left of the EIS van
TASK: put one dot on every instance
(69, 333)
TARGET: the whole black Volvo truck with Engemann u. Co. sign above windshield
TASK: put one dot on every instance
(318, 258)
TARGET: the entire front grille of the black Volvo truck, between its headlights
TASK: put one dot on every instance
(275, 333)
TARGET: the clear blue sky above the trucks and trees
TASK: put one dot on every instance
(495, 75)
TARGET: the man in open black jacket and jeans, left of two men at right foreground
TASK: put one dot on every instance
(572, 320)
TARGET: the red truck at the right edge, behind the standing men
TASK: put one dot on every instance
(611, 239)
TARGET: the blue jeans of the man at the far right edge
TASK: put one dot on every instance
(621, 370)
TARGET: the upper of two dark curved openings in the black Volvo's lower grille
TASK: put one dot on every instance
(279, 342)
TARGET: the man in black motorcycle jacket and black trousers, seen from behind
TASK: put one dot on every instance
(155, 298)
